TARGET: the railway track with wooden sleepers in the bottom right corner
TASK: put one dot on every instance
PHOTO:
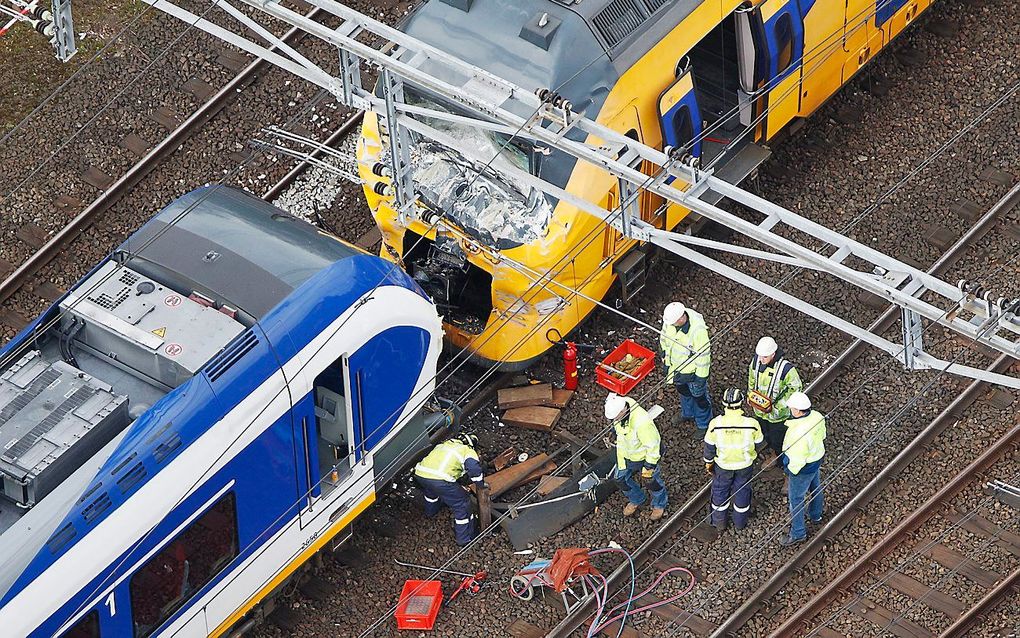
(926, 533)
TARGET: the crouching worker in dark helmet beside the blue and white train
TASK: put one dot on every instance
(438, 475)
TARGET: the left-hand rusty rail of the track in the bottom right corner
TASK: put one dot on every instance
(841, 584)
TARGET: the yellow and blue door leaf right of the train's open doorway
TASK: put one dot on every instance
(784, 29)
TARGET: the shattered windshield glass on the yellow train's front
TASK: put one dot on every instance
(496, 208)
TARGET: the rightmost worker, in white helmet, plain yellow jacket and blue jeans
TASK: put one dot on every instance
(804, 450)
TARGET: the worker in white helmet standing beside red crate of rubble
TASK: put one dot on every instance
(688, 357)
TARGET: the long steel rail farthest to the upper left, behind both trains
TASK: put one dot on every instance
(137, 173)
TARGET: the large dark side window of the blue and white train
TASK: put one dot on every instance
(170, 579)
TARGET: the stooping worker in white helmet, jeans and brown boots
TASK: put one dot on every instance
(639, 450)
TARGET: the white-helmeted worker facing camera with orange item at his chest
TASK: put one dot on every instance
(772, 381)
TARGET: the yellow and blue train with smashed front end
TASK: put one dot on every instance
(707, 76)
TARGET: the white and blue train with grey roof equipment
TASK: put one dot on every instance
(190, 423)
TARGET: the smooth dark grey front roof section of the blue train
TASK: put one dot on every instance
(236, 248)
